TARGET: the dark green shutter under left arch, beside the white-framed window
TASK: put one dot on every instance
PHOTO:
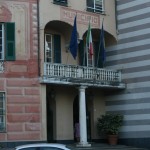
(57, 49)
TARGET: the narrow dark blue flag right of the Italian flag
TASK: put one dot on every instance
(102, 45)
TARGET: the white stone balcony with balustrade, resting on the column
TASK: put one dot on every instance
(81, 75)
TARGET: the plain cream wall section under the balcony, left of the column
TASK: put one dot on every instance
(64, 113)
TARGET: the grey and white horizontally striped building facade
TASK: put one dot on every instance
(131, 54)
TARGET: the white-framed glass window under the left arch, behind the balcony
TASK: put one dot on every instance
(48, 48)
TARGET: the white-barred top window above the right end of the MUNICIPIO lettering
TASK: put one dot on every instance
(95, 8)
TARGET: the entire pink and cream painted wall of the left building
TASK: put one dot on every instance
(20, 78)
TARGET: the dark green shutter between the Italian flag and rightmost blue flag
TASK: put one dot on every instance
(98, 64)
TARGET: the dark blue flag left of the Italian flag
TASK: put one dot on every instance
(73, 42)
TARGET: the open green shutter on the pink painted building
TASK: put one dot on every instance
(10, 41)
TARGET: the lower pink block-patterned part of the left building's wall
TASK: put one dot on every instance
(23, 109)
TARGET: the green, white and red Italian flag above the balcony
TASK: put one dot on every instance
(89, 43)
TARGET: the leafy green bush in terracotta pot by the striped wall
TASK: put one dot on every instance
(109, 124)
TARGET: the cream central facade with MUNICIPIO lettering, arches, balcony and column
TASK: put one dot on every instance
(74, 88)
